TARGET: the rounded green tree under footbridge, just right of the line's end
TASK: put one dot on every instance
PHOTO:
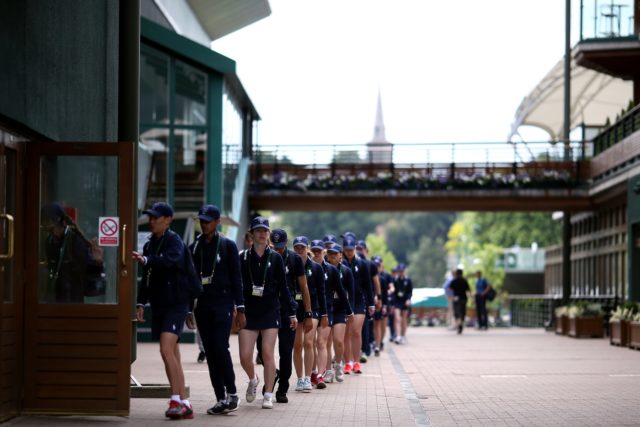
(427, 265)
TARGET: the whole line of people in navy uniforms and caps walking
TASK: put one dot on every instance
(326, 305)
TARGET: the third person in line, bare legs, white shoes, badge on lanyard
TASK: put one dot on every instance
(265, 294)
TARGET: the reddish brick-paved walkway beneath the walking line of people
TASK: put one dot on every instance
(509, 377)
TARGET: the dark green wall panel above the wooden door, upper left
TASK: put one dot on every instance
(59, 70)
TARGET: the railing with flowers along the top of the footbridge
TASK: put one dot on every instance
(418, 166)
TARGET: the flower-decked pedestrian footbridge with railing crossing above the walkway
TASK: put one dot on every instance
(421, 177)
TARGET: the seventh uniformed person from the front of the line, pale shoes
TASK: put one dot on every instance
(342, 312)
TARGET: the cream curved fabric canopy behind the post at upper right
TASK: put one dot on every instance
(594, 97)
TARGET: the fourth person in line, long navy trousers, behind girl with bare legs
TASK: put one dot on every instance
(296, 279)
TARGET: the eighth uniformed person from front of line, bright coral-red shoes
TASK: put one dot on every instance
(363, 303)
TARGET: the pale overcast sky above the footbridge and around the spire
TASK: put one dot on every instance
(447, 70)
